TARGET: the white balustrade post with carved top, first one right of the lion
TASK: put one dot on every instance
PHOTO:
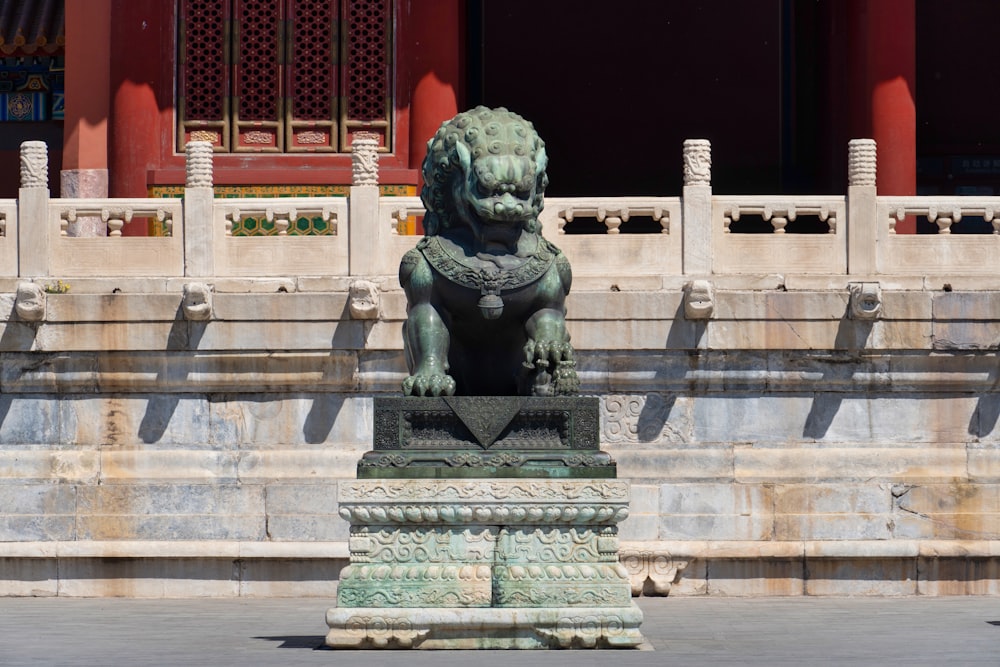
(696, 206)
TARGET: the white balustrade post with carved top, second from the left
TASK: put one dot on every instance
(199, 200)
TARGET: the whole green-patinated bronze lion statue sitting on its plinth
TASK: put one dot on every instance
(485, 292)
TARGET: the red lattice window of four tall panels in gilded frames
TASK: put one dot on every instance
(284, 75)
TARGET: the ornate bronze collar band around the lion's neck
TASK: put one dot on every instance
(508, 272)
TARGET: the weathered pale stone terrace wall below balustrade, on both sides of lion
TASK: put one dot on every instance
(785, 445)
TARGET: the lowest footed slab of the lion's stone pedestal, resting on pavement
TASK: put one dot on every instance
(490, 628)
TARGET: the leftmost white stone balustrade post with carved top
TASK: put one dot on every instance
(34, 230)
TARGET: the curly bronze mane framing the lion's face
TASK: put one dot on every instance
(457, 144)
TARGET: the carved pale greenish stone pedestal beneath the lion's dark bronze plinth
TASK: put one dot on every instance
(484, 563)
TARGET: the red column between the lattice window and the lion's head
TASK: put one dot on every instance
(433, 50)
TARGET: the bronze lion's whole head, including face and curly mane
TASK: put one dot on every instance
(485, 167)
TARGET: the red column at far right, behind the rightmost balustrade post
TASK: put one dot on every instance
(883, 36)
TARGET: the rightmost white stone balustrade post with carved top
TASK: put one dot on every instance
(862, 200)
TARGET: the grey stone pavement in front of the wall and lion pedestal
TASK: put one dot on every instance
(682, 631)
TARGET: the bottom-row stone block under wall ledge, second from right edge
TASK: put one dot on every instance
(879, 577)
